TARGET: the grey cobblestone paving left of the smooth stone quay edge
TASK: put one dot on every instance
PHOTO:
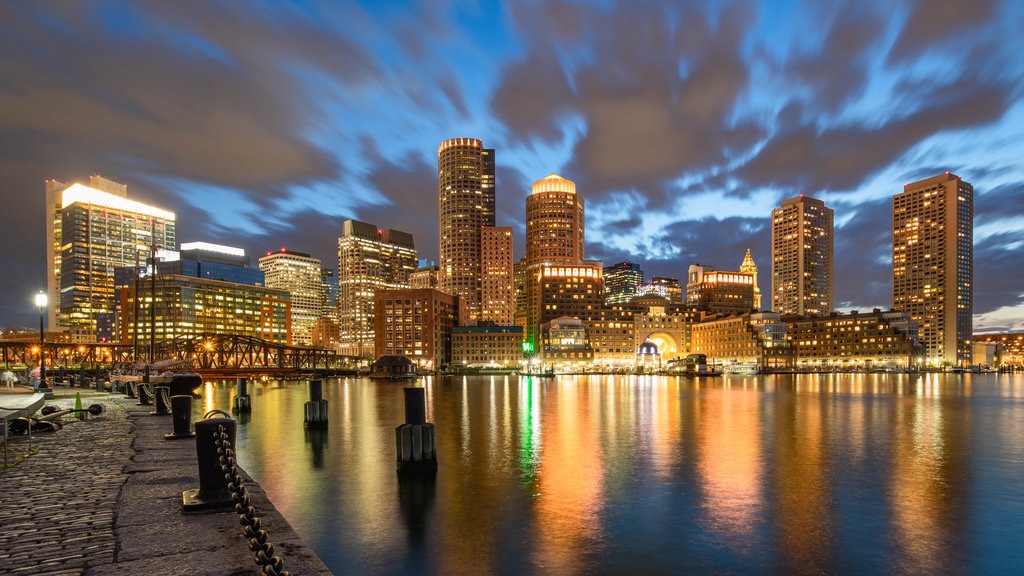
(58, 506)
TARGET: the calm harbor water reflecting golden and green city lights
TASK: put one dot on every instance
(852, 474)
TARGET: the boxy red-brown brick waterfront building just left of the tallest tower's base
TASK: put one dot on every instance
(417, 324)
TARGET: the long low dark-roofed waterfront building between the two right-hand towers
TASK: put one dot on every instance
(857, 341)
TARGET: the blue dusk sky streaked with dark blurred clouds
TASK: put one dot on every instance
(268, 125)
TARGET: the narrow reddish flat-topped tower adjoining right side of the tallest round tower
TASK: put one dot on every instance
(497, 293)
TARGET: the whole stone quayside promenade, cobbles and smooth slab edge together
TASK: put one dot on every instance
(104, 497)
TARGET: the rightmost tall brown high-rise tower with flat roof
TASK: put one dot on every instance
(933, 264)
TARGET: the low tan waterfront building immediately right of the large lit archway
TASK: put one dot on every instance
(753, 338)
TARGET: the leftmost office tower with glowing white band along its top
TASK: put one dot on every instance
(93, 231)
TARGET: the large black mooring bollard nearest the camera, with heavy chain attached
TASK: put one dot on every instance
(214, 489)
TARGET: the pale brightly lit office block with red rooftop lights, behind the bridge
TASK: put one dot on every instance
(302, 276)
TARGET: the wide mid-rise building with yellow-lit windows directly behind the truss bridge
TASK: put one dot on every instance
(172, 307)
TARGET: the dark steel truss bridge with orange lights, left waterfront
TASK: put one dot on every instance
(208, 354)
